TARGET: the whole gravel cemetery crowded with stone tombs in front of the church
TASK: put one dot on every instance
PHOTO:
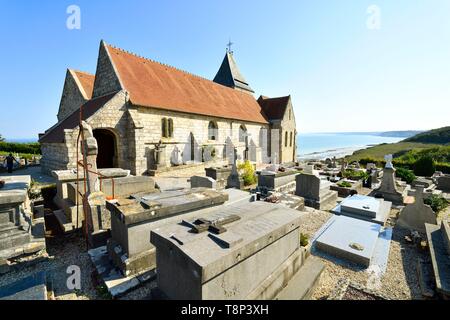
(211, 237)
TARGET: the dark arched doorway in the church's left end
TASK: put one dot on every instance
(106, 142)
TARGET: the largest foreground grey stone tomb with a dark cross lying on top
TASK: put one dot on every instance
(195, 266)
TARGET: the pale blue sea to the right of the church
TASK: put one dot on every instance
(319, 146)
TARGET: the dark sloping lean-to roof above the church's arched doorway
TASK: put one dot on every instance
(56, 133)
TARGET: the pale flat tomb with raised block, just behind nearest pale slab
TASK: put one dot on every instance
(364, 208)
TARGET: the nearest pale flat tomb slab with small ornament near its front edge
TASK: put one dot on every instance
(350, 239)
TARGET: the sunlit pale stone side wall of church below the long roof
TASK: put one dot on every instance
(149, 135)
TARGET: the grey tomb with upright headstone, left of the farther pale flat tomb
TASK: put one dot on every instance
(316, 191)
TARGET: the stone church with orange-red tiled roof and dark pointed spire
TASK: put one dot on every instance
(150, 117)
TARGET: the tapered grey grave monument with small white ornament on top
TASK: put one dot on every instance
(388, 189)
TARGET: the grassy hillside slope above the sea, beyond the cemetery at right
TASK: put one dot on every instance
(378, 152)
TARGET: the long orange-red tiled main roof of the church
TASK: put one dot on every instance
(152, 84)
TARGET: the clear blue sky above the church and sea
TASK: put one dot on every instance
(347, 68)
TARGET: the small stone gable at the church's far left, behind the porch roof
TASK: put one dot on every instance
(72, 98)
